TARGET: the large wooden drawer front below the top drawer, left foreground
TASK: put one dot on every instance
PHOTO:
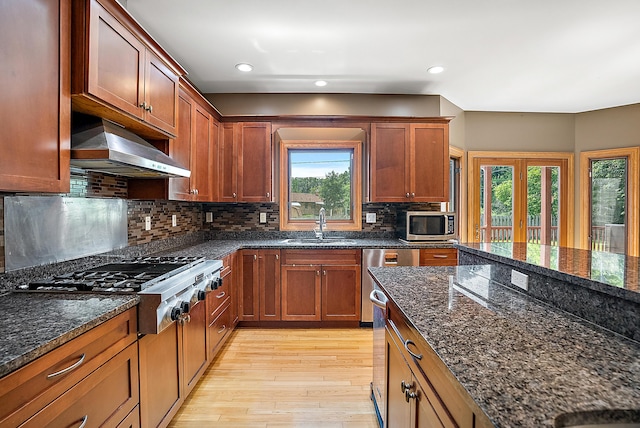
(104, 398)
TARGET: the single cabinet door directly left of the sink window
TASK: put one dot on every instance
(254, 170)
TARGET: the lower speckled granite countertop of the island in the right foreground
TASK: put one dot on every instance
(523, 362)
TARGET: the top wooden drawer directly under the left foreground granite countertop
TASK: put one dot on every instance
(32, 387)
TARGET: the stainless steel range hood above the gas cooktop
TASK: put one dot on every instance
(106, 147)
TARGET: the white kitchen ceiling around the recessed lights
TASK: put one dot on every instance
(500, 55)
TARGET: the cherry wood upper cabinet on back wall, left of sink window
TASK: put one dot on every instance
(246, 162)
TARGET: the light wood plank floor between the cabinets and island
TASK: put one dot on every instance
(285, 378)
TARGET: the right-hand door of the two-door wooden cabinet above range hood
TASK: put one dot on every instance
(160, 94)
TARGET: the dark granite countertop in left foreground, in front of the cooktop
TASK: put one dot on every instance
(35, 323)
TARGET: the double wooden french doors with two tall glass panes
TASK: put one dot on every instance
(520, 197)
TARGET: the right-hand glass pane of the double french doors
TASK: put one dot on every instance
(543, 202)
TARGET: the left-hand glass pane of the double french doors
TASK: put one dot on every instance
(496, 203)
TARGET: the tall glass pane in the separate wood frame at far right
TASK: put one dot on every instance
(608, 205)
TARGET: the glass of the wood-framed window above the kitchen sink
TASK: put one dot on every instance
(320, 178)
